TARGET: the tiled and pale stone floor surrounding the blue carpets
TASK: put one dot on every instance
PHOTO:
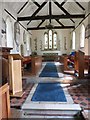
(78, 89)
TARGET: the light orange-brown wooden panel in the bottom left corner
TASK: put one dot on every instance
(4, 102)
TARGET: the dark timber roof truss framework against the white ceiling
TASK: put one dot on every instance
(50, 16)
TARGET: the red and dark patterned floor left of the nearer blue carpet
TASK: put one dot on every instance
(17, 102)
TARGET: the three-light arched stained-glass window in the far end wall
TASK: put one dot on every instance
(50, 40)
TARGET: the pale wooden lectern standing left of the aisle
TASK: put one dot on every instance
(15, 75)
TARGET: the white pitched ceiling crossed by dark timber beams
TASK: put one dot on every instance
(37, 14)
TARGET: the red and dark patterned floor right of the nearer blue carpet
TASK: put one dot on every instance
(80, 94)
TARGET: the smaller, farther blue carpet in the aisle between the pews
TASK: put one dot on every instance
(49, 70)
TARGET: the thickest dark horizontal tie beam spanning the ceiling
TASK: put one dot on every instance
(52, 17)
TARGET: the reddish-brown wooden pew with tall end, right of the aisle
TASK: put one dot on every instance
(81, 62)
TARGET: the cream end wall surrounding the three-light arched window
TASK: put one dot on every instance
(38, 35)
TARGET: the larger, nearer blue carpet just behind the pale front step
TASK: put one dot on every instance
(52, 92)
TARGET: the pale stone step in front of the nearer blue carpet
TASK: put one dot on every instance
(60, 109)
